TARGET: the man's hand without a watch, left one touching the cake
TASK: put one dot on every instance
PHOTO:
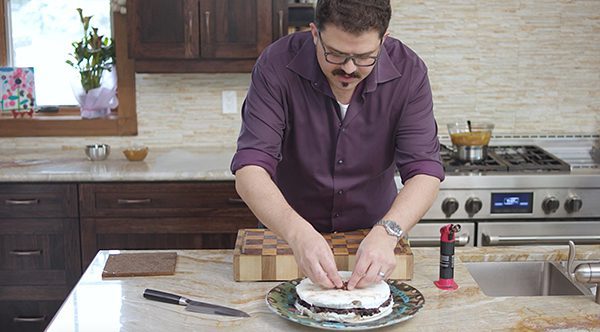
(315, 259)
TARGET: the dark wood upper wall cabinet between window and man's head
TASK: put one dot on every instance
(202, 35)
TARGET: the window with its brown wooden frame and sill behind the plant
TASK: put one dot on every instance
(39, 33)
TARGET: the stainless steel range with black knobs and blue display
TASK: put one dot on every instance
(521, 194)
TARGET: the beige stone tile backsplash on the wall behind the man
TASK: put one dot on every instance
(530, 67)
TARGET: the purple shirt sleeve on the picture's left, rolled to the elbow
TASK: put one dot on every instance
(263, 122)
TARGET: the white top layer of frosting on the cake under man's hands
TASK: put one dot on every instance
(371, 296)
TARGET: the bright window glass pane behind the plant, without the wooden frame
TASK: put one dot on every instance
(34, 31)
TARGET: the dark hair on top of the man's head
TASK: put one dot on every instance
(354, 16)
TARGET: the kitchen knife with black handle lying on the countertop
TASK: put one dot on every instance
(191, 305)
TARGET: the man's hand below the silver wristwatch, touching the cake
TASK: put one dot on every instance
(375, 254)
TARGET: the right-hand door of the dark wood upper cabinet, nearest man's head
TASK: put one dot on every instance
(235, 29)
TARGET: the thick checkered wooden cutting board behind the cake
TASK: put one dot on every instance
(260, 255)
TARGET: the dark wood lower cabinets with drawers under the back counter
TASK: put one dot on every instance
(48, 232)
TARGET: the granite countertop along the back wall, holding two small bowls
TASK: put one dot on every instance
(72, 165)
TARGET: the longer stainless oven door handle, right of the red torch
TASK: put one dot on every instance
(497, 240)
